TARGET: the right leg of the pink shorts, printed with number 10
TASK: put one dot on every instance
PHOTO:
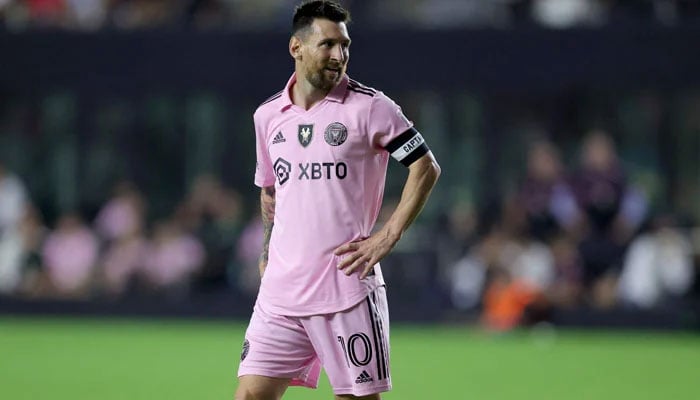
(353, 346)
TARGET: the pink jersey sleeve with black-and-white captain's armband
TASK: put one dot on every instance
(392, 131)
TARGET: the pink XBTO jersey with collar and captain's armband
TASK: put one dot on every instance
(328, 165)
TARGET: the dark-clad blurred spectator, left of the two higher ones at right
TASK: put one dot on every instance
(549, 201)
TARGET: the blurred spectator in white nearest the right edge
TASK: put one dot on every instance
(658, 267)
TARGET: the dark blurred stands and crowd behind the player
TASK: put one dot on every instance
(568, 132)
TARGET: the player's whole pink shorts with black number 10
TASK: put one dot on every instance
(352, 346)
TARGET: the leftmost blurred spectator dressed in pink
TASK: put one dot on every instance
(70, 256)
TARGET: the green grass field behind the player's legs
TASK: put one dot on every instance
(106, 359)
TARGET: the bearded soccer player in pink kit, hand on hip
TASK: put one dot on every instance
(323, 144)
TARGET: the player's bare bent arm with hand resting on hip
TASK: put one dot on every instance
(364, 254)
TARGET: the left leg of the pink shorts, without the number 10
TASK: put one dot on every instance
(278, 347)
